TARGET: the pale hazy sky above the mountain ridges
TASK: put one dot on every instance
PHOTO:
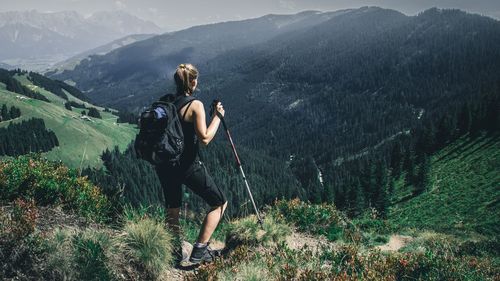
(178, 14)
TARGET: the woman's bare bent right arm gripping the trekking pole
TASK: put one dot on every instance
(205, 135)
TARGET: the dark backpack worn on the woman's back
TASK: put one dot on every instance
(160, 139)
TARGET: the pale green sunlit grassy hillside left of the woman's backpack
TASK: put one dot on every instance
(80, 142)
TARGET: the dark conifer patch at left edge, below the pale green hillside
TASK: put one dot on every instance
(26, 137)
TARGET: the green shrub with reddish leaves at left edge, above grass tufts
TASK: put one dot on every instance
(51, 183)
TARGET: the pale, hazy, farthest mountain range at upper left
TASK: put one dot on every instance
(35, 40)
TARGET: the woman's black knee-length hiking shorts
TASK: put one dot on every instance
(196, 178)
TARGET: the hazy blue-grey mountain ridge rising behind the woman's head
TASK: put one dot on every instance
(138, 70)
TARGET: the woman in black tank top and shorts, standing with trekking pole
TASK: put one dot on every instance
(191, 170)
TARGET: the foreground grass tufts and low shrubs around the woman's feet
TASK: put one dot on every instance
(118, 242)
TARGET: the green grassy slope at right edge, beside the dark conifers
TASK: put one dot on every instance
(464, 191)
